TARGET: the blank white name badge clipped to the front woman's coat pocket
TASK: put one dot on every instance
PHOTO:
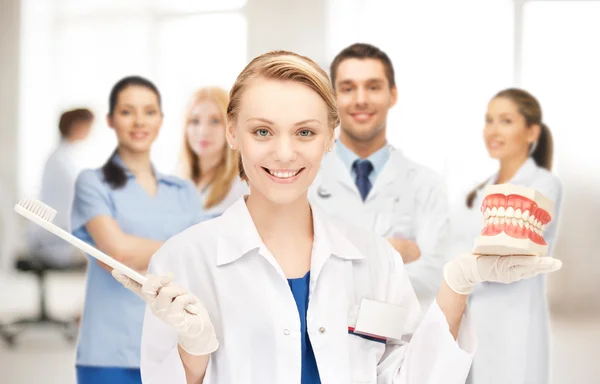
(380, 321)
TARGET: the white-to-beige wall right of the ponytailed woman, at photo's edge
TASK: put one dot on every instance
(561, 69)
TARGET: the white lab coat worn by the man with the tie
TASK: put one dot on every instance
(407, 200)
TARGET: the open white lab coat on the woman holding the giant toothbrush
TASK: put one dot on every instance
(224, 262)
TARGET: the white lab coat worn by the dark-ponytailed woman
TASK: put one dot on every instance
(512, 320)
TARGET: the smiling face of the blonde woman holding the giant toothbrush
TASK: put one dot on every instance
(282, 132)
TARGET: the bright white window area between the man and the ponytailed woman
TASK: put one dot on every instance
(450, 57)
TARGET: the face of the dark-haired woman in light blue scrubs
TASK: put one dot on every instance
(136, 119)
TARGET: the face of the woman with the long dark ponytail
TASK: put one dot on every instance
(506, 133)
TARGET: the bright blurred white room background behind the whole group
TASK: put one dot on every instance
(450, 57)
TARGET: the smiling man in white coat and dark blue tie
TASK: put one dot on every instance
(369, 183)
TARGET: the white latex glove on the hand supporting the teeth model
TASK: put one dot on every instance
(462, 273)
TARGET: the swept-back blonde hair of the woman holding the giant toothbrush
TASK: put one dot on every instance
(285, 66)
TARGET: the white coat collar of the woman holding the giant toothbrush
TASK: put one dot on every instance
(238, 237)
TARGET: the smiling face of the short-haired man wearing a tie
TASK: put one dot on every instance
(364, 97)
